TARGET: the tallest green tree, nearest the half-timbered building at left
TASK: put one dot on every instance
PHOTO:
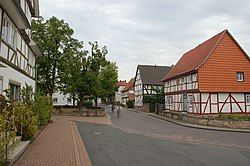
(52, 36)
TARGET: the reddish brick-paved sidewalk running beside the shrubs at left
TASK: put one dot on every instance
(59, 145)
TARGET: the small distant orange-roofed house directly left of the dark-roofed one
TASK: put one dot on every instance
(128, 93)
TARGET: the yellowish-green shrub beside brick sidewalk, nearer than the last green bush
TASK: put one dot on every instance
(25, 121)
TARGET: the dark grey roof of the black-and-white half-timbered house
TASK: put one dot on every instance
(152, 74)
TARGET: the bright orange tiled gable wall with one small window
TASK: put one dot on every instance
(218, 72)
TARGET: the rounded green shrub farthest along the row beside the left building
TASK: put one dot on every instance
(42, 108)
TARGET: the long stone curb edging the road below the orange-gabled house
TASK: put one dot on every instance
(193, 125)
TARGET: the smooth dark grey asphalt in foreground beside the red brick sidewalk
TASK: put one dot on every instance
(110, 146)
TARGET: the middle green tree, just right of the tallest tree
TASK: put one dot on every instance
(73, 72)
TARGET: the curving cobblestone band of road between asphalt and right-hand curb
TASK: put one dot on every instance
(145, 125)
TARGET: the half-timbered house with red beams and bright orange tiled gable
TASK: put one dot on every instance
(212, 78)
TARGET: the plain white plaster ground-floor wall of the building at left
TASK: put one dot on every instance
(8, 73)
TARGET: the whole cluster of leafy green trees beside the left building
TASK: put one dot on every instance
(68, 66)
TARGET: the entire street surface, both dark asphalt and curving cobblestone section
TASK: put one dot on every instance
(137, 139)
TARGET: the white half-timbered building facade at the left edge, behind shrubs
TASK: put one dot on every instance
(17, 50)
